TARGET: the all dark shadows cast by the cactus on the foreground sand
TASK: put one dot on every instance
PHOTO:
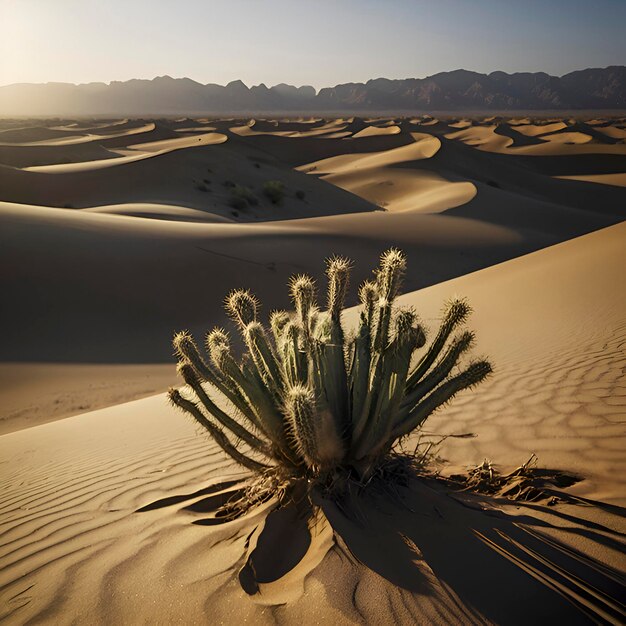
(517, 565)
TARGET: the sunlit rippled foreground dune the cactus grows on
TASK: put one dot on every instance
(73, 544)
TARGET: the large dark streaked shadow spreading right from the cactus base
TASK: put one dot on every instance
(460, 544)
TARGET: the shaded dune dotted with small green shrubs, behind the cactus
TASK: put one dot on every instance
(195, 174)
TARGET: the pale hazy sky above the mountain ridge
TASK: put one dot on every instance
(320, 43)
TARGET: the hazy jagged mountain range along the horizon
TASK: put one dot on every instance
(599, 88)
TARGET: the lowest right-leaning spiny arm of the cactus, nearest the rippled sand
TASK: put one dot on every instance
(473, 375)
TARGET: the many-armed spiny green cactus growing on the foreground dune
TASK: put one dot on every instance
(309, 403)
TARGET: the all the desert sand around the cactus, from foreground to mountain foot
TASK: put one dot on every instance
(114, 234)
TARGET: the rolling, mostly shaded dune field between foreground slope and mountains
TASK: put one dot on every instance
(454, 207)
